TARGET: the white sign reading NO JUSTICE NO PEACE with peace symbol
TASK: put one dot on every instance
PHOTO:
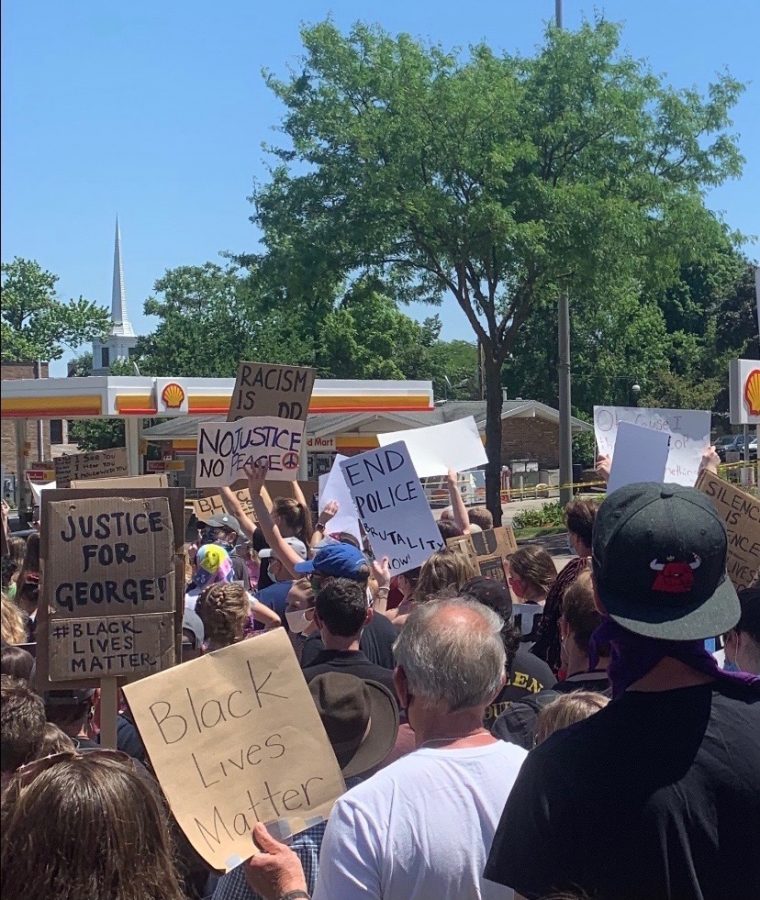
(225, 448)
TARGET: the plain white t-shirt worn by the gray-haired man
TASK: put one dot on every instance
(421, 828)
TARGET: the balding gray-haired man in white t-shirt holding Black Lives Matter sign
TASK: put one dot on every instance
(420, 827)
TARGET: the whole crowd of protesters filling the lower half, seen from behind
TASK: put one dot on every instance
(555, 734)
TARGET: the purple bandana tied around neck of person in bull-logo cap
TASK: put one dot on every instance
(632, 656)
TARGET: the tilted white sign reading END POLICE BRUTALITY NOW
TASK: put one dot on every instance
(391, 506)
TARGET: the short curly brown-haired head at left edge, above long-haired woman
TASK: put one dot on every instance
(22, 725)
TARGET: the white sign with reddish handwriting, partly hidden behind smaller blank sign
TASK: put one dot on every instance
(689, 431)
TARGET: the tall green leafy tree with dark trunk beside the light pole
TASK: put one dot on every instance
(493, 180)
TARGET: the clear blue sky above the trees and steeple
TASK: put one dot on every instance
(156, 109)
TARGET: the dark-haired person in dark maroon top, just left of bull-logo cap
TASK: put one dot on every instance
(580, 516)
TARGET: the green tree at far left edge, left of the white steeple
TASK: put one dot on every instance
(35, 323)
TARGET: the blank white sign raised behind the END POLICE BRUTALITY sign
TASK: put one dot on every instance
(436, 449)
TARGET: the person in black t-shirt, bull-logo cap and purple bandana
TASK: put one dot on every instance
(657, 796)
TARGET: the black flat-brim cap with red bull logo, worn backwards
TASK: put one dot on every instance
(659, 558)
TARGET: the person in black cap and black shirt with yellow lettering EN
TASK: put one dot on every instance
(526, 674)
